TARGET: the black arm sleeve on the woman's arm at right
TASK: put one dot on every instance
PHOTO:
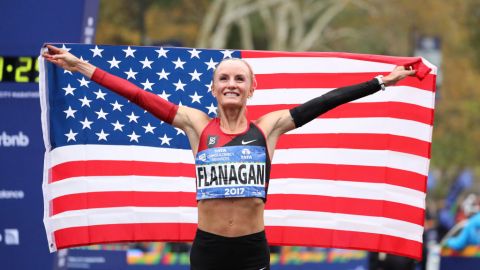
(310, 110)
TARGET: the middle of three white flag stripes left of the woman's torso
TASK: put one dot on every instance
(75, 185)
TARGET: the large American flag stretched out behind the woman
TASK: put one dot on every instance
(353, 178)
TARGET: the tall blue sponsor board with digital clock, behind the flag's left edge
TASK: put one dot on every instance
(24, 28)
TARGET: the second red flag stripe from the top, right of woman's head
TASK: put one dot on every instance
(332, 80)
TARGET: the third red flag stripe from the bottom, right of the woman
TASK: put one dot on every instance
(367, 174)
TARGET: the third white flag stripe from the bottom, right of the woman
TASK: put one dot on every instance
(381, 158)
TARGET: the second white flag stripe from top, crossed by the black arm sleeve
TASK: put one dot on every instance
(404, 94)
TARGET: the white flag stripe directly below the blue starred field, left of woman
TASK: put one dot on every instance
(119, 152)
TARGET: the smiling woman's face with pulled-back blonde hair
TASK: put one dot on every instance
(232, 83)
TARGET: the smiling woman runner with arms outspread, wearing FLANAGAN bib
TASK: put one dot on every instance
(232, 153)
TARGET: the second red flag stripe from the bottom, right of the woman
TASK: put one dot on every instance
(353, 206)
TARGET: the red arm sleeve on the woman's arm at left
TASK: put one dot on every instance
(154, 104)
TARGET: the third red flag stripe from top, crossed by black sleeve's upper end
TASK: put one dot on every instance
(353, 110)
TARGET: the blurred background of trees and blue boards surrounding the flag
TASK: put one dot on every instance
(445, 32)
